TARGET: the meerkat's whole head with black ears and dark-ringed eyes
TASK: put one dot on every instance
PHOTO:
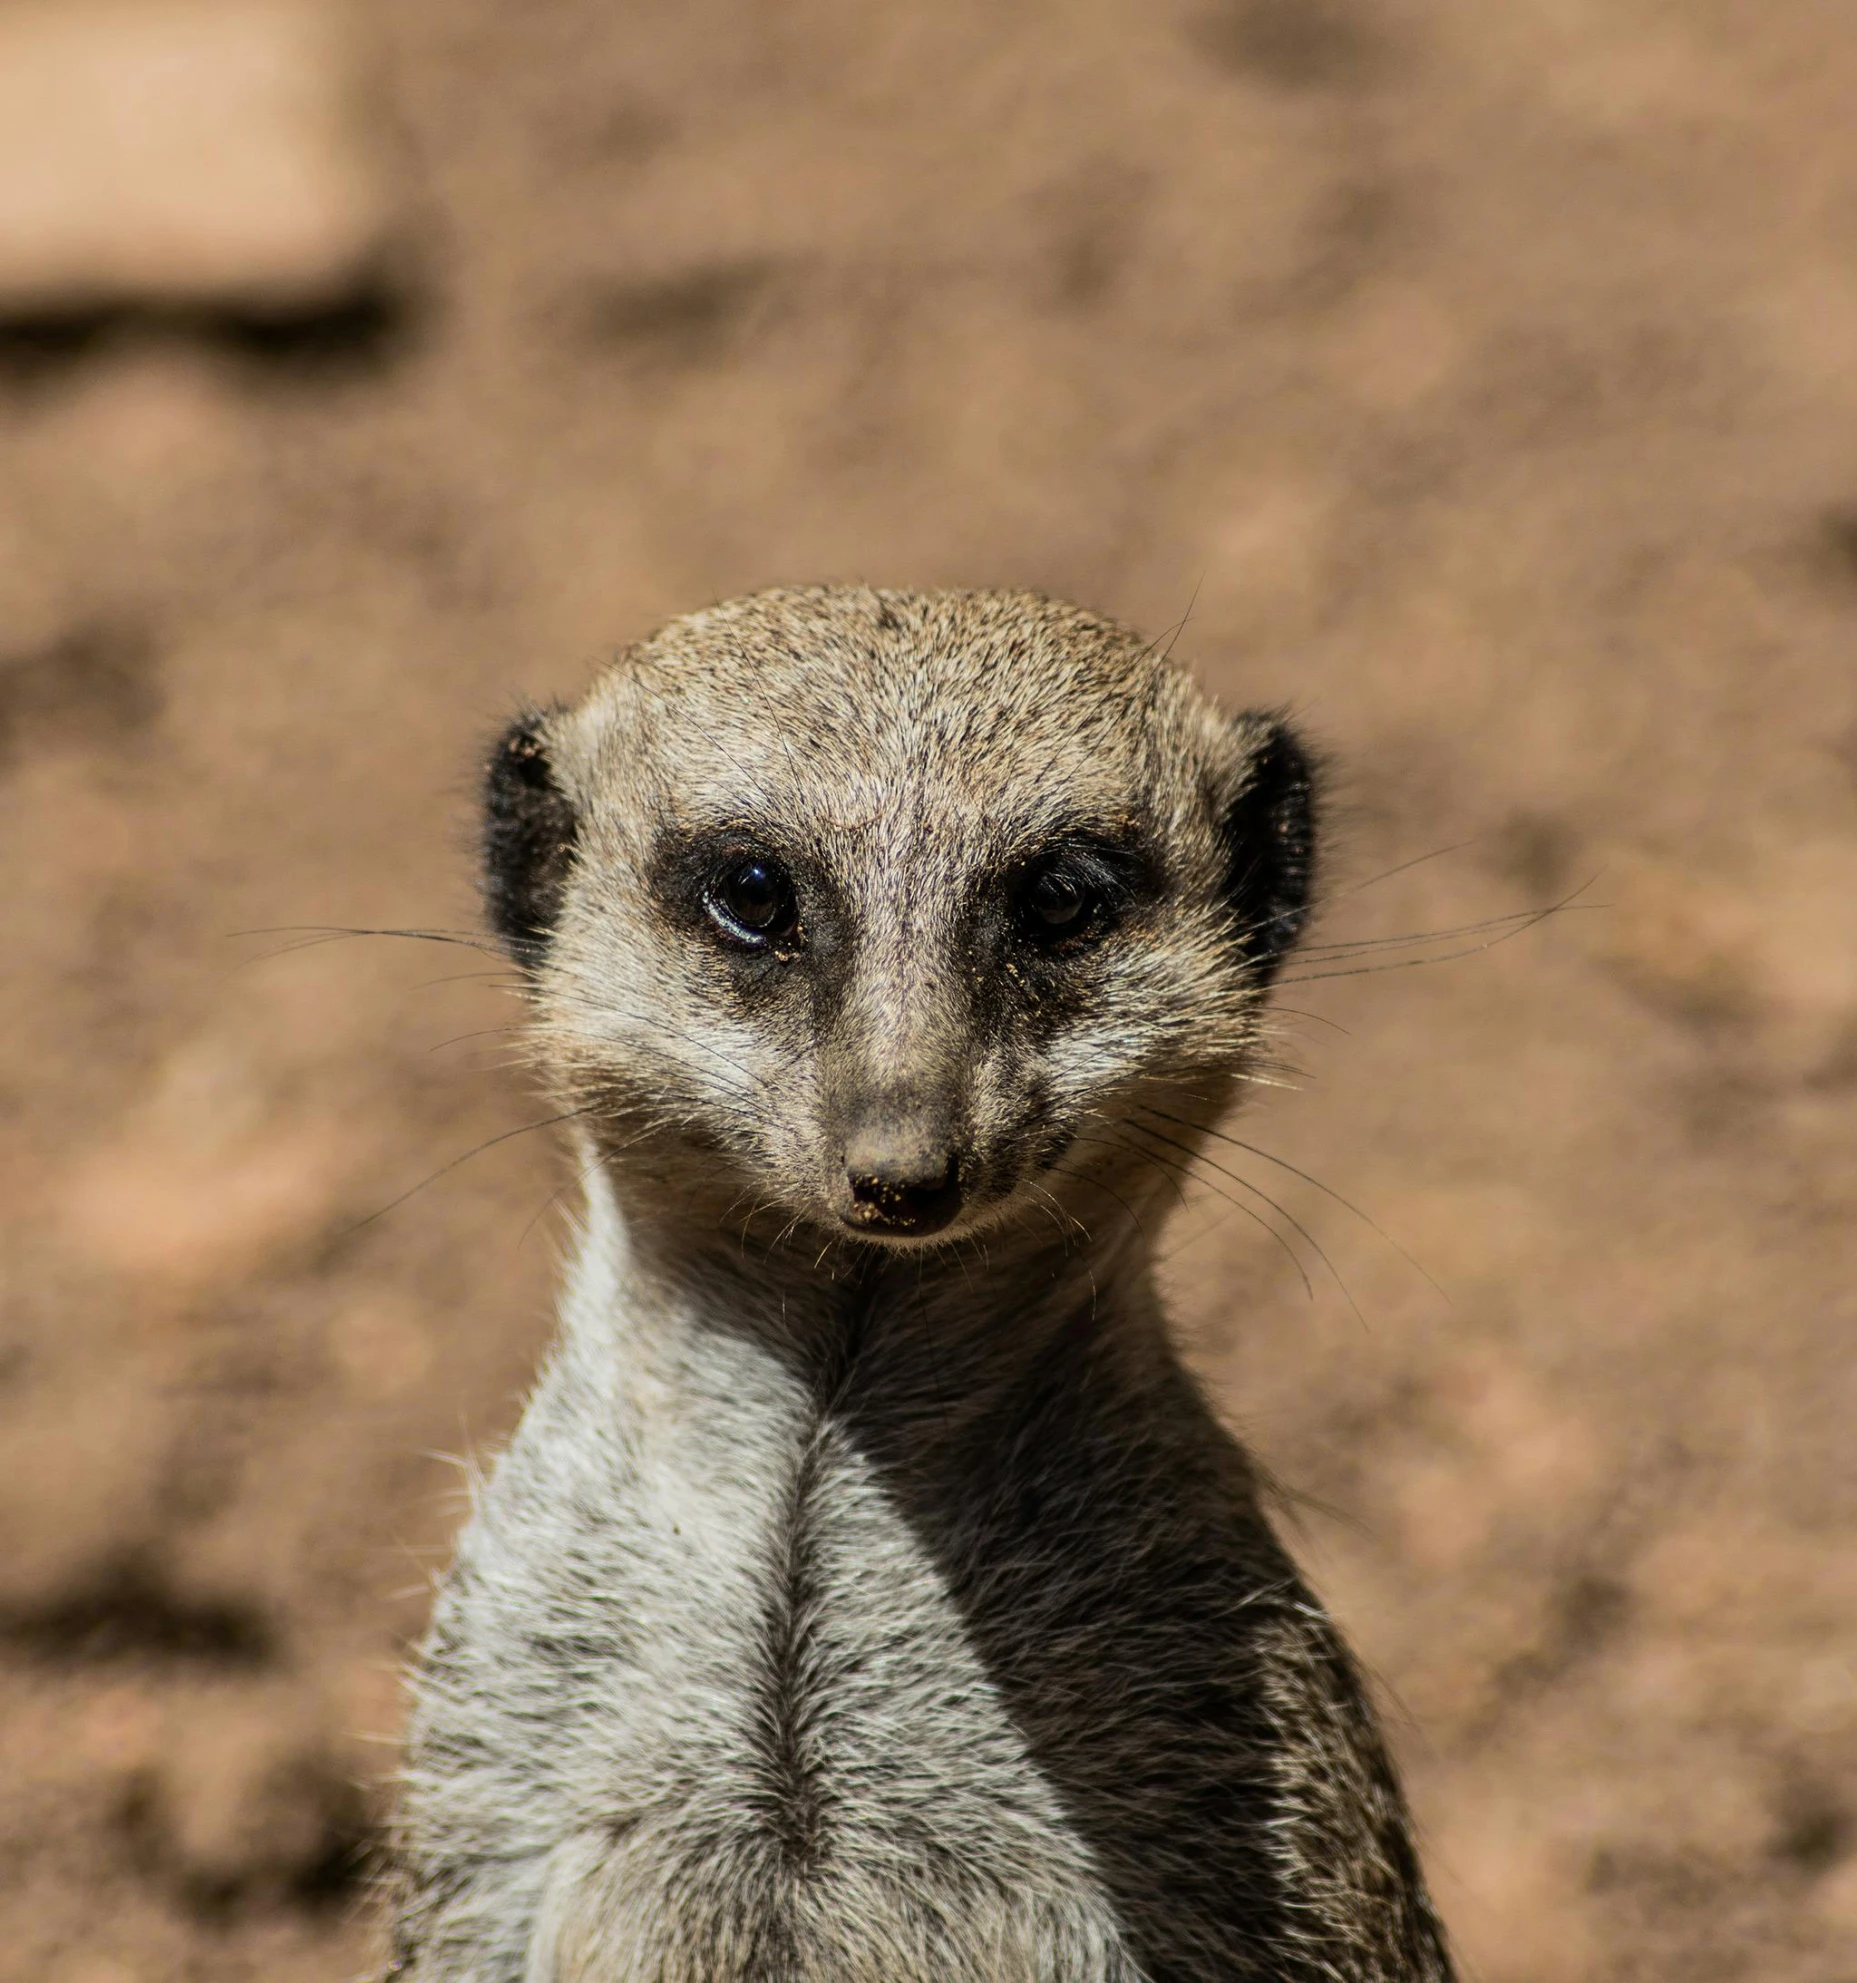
(874, 913)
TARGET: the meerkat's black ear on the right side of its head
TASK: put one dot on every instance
(1271, 846)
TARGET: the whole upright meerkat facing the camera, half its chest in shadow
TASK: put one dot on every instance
(868, 1593)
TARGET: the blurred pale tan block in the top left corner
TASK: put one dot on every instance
(182, 156)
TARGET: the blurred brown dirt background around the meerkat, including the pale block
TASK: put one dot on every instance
(1485, 382)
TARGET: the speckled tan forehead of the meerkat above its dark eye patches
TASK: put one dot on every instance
(848, 709)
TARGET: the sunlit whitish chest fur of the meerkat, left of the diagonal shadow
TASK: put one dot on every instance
(737, 1700)
